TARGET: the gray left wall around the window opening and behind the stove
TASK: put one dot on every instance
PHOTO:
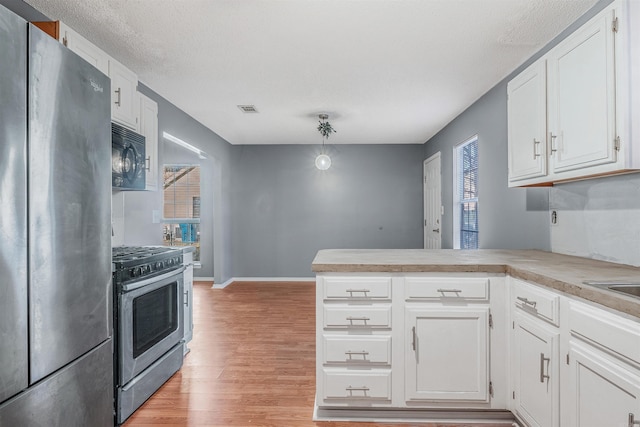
(215, 237)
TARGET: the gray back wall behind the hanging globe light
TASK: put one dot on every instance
(285, 210)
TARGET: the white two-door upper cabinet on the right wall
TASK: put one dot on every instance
(581, 94)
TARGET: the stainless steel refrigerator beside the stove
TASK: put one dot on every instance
(56, 356)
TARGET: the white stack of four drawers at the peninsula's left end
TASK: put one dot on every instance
(354, 353)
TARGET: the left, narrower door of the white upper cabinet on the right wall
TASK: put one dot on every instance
(527, 123)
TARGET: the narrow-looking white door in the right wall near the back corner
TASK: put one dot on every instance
(432, 203)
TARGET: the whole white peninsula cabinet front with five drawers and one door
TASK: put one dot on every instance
(417, 342)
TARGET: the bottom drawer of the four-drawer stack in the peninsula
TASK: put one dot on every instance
(356, 386)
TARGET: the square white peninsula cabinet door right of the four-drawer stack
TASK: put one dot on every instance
(447, 354)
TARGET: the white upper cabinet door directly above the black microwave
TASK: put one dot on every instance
(124, 95)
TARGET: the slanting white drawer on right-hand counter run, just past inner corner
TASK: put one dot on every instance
(536, 301)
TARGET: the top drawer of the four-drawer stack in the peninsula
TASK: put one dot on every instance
(357, 288)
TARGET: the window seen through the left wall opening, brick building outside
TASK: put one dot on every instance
(181, 207)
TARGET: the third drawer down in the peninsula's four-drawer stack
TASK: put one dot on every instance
(350, 350)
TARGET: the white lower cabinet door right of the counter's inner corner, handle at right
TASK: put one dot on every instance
(535, 372)
